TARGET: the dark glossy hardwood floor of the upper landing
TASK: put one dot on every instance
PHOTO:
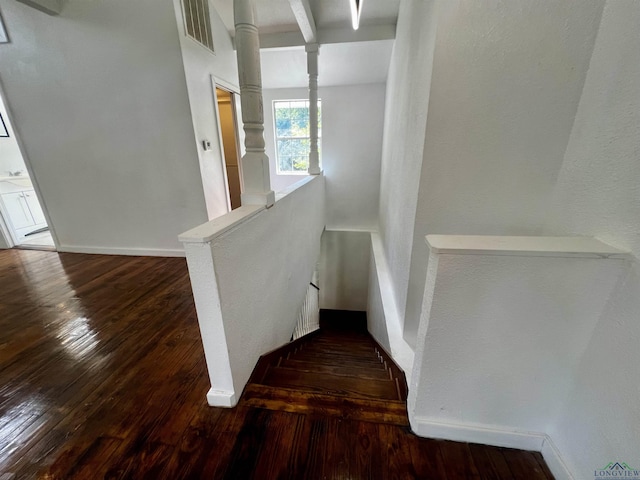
(102, 375)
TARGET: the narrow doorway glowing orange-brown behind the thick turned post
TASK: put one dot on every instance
(226, 104)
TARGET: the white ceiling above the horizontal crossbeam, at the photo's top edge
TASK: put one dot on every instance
(276, 16)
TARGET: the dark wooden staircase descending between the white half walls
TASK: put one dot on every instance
(339, 370)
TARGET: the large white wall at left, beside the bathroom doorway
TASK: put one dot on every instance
(99, 99)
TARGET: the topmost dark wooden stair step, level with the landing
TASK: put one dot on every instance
(294, 401)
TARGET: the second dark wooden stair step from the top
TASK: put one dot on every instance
(331, 384)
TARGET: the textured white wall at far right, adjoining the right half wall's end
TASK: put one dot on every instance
(598, 193)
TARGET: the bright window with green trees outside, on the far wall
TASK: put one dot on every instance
(291, 120)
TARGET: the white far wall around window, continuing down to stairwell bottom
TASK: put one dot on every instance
(352, 119)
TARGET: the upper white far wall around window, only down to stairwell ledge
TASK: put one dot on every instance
(352, 118)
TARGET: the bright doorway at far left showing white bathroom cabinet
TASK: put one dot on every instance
(22, 219)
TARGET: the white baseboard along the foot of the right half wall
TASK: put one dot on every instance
(478, 434)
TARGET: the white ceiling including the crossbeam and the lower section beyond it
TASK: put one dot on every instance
(349, 61)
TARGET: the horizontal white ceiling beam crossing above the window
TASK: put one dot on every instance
(365, 33)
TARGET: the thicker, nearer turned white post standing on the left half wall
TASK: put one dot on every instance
(255, 163)
